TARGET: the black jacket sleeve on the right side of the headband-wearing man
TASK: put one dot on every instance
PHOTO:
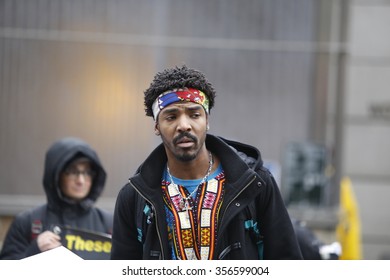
(280, 242)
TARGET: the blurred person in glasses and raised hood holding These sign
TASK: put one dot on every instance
(73, 180)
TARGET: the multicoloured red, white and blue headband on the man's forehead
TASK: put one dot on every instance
(176, 95)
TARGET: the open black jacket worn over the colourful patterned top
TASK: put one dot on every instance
(137, 235)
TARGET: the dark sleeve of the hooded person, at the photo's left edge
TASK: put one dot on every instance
(18, 243)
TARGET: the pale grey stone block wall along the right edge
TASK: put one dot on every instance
(366, 145)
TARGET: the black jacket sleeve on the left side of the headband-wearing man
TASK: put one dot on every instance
(125, 244)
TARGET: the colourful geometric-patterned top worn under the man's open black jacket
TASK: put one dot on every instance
(192, 232)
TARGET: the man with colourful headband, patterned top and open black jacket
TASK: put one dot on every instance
(198, 196)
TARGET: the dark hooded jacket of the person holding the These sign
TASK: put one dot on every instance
(20, 241)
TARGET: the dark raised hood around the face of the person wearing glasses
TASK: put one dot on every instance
(57, 157)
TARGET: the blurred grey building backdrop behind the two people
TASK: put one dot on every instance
(306, 81)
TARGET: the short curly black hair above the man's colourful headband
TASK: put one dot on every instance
(177, 77)
